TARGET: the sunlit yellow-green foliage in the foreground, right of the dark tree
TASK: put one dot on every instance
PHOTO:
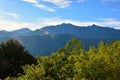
(72, 62)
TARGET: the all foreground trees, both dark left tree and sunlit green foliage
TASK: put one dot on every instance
(71, 62)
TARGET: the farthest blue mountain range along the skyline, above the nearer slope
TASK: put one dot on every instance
(82, 32)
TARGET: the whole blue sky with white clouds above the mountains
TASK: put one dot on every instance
(35, 14)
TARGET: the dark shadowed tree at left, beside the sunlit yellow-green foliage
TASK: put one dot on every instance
(12, 57)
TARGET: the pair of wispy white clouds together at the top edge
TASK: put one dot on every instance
(57, 3)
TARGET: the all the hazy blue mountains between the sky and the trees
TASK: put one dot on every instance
(48, 39)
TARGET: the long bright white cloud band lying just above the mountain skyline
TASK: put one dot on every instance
(41, 22)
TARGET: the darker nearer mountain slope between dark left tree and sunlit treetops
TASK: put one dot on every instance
(44, 45)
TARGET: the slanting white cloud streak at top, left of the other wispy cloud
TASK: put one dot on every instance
(38, 5)
